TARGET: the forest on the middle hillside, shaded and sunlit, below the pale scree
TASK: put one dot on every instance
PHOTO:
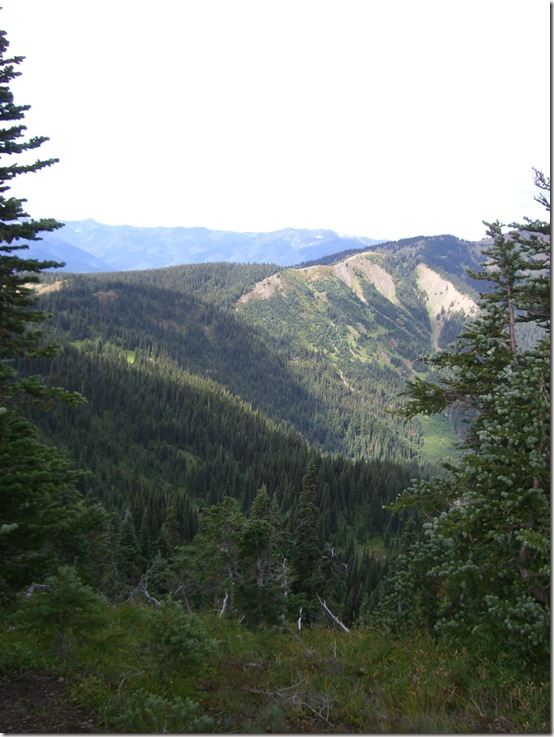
(250, 346)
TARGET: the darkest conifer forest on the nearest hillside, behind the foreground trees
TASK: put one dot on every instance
(165, 444)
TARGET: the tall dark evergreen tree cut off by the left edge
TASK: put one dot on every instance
(41, 515)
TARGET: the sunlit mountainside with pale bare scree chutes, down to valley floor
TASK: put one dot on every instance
(364, 321)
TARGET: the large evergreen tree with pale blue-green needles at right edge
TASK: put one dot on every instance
(481, 572)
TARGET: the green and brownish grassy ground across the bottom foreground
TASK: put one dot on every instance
(319, 680)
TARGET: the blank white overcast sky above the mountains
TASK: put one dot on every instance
(370, 117)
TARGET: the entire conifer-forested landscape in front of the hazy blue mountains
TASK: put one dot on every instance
(247, 498)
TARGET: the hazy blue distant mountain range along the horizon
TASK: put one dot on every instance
(89, 246)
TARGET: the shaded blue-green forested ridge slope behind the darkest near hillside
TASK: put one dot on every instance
(289, 376)
